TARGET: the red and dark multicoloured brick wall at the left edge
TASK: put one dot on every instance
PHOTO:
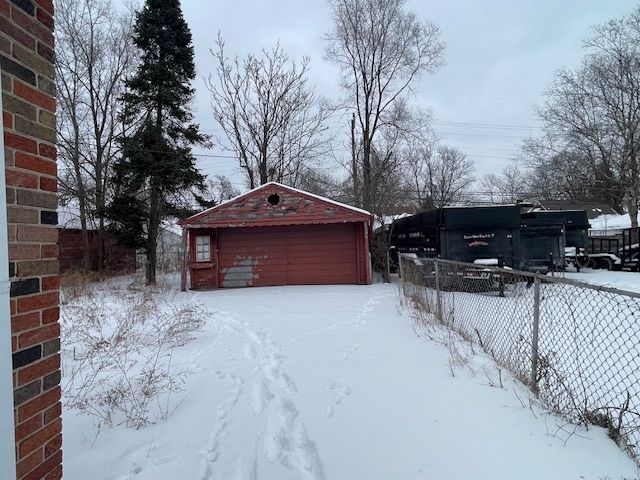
(26, 58)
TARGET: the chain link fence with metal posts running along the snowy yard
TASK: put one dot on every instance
(576, 345)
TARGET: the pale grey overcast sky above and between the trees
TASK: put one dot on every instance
(500, 57)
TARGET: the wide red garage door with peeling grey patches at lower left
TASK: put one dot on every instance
(288, 255)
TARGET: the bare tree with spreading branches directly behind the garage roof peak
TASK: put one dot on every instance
(270, 116)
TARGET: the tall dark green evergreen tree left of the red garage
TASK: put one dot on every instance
(157, 163)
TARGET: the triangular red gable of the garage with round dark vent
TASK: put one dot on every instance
(276, 204)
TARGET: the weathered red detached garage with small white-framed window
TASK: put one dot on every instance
(277, 235)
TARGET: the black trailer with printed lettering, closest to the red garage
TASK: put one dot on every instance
(466, 234)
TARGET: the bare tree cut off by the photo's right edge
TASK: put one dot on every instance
(593, 112)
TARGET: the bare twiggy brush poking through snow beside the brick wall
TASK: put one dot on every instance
(118, 348)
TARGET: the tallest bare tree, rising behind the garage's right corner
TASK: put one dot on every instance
(381, 49)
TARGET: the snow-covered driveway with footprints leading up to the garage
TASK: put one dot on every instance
(337, 383)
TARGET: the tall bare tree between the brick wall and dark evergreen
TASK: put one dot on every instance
(94, 54)
